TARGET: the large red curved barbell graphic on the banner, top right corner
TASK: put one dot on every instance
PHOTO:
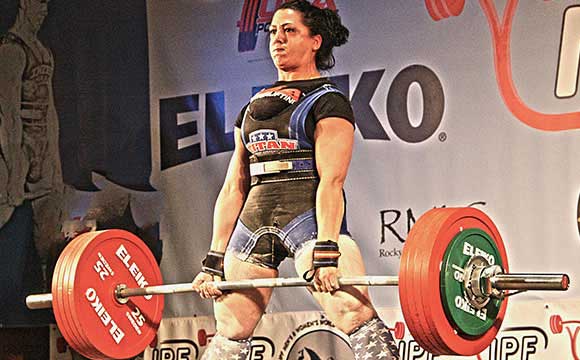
(500, 31)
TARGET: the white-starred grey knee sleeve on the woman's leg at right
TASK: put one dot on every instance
(374, 340)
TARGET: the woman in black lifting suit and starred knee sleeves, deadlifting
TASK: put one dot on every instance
(283, 193)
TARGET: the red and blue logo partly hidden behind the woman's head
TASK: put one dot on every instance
(257, 15)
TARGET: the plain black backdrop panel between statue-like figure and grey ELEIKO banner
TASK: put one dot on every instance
(101, 87)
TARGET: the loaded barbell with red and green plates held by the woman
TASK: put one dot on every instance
(453, 287)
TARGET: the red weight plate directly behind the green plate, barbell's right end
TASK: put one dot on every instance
(457, 220)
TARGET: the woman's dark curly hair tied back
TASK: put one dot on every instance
(323, 22)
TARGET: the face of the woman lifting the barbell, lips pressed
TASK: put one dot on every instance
(291, 45)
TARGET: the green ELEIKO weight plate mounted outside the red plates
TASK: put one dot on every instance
(465, 245)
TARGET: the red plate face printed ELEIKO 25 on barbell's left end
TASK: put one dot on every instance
(110, 258)
